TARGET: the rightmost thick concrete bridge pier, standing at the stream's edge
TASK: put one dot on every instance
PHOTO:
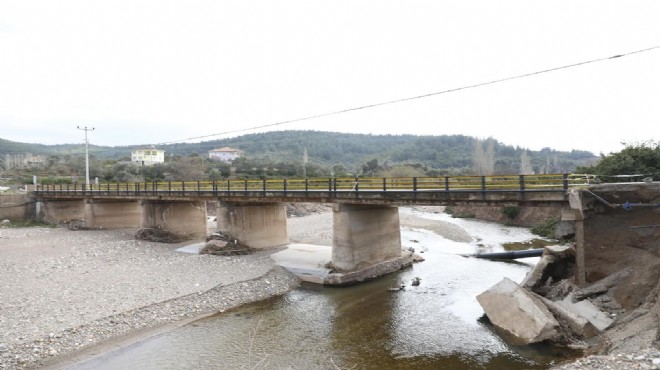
(364, 235)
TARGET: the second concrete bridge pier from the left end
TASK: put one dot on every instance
(112, 214)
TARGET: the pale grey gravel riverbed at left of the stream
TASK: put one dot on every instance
(64, 291)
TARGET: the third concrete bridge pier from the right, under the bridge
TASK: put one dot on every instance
(185, 217)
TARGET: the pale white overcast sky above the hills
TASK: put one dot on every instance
(154, 71)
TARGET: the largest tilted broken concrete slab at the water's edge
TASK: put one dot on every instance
(518, 313)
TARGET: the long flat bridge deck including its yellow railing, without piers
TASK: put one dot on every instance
(517, 189)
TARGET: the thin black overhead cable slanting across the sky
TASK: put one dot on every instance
(417, 96)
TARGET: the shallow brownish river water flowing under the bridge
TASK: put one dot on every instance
(436, 325)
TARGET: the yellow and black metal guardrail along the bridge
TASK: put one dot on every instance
(477, 184)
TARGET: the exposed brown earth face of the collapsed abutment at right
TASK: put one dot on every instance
(618, 227)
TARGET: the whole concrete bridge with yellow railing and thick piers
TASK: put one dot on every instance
(366, 231)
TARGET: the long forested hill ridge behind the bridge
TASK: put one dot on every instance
(443, 153)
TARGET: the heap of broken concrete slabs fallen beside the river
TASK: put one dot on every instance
(546, 306)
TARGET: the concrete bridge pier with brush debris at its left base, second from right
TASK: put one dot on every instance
(257, 225)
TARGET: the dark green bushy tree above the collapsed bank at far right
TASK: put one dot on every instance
(635, 159)
